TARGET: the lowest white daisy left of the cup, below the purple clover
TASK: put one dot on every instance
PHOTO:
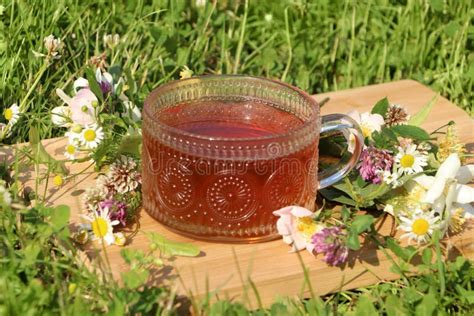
(101, 225)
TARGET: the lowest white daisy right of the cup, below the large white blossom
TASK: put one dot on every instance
(419, 227)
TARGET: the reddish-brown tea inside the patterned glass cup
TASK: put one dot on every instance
(230, 198)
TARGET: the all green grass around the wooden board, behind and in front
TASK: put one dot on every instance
(317, 45)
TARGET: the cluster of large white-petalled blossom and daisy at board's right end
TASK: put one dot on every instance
(440, 202)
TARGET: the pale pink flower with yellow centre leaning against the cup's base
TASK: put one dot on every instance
(296, 225)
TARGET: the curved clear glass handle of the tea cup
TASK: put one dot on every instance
(352, 132)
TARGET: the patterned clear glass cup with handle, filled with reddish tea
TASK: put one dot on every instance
(221, 153)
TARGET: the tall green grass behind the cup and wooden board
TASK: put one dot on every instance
(317, 45)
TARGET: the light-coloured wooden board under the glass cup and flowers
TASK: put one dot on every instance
(226, 268)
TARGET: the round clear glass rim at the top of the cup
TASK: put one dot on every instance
(313, 119)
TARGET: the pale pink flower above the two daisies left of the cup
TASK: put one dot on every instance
(82, 106)
